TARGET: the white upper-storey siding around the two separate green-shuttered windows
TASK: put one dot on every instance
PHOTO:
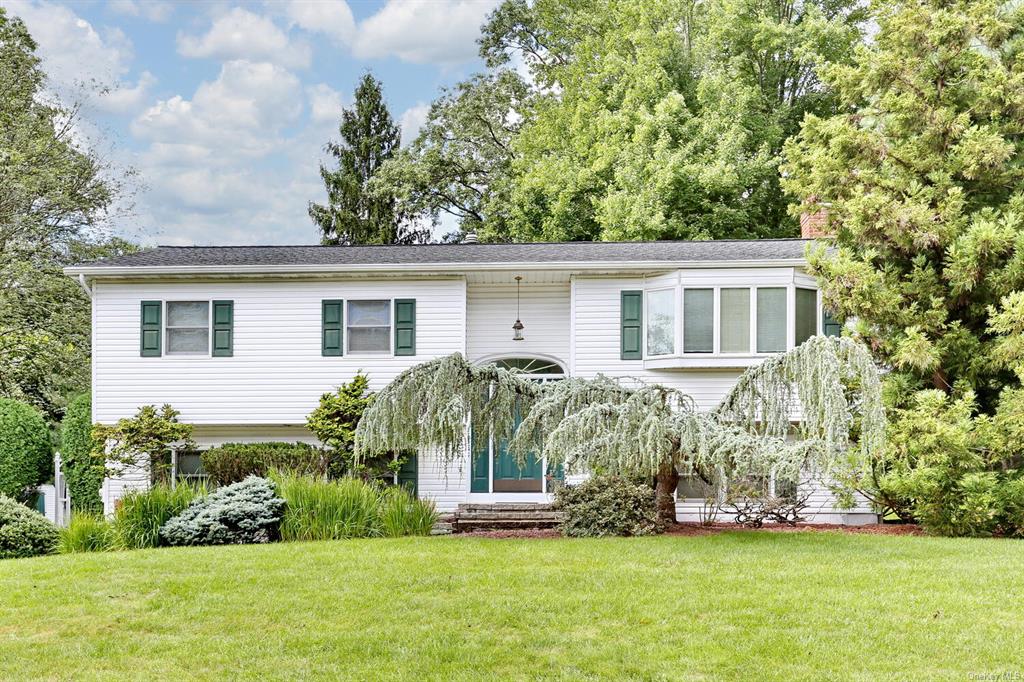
(278, 373)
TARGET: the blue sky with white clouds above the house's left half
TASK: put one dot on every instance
(223, 110)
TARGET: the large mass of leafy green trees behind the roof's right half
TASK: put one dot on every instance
(643, 120)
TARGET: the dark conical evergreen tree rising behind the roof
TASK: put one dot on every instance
(355, 214)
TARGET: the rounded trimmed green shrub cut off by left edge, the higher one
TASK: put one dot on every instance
(26, 451)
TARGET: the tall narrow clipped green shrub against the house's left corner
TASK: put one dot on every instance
(83, 472)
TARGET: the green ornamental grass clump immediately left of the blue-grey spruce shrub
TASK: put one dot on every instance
(142, 514)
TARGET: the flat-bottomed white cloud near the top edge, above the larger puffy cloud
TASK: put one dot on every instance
(242, 35)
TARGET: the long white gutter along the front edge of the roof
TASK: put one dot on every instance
(413, 269)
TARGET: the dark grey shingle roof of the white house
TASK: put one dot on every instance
(564, 252)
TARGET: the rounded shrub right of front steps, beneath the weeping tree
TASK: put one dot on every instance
(608, 506)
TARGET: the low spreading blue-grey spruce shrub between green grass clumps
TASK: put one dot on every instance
(242, 514)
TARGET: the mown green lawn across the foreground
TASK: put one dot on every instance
(738, 606)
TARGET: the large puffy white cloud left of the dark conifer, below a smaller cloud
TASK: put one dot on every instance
(241, 113)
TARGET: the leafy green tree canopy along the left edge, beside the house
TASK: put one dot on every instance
(56, 199)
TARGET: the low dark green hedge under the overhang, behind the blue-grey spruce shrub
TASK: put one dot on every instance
(235, 462)
